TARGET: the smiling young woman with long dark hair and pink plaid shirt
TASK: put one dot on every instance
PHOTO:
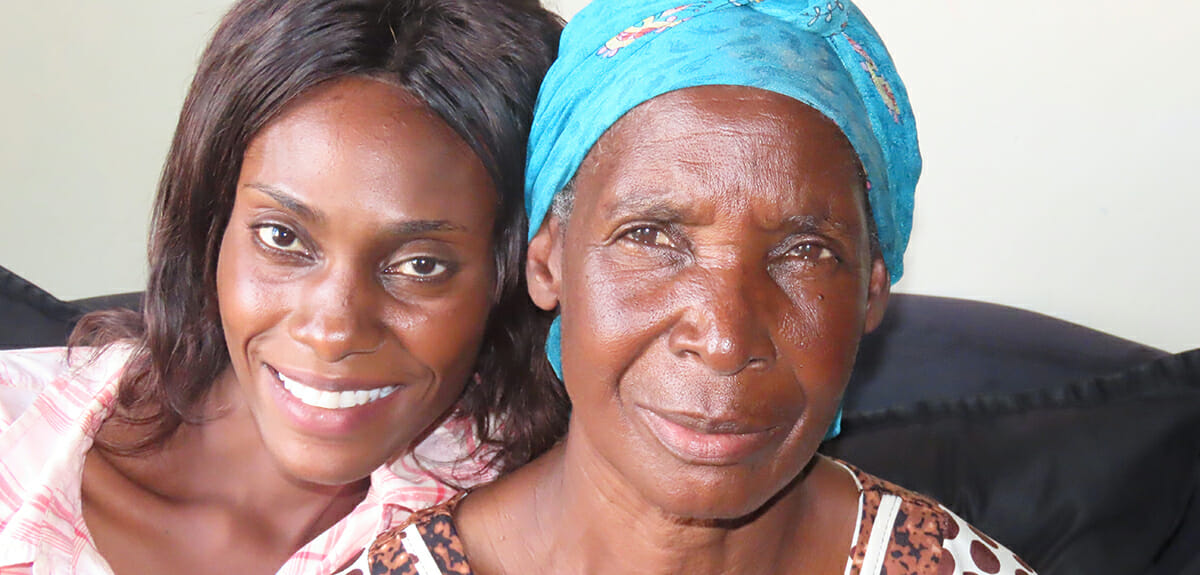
(335, 277)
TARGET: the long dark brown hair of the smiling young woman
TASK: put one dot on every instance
(477, 64)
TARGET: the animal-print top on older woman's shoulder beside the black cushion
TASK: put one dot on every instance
(911, 534)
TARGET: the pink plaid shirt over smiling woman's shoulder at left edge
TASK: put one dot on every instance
(50, 400)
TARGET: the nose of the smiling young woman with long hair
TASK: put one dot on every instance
(335, 315)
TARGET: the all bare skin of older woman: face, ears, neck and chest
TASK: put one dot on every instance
(715, 278)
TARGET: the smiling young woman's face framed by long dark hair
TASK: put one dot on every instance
(356, 278)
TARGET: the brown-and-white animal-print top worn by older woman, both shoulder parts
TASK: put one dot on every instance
(899, 534)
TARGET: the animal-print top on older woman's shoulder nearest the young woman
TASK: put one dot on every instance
(430, 536)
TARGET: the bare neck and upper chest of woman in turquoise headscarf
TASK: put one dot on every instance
(625, 534)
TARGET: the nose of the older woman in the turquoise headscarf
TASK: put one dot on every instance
(723, 324)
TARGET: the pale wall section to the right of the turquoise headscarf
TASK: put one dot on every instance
(1058, 141)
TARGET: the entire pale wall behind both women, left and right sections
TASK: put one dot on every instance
(1058, 145)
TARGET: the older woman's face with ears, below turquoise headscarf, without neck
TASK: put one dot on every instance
(715, 280)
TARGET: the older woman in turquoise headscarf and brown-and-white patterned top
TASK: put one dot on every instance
(729, 188)
